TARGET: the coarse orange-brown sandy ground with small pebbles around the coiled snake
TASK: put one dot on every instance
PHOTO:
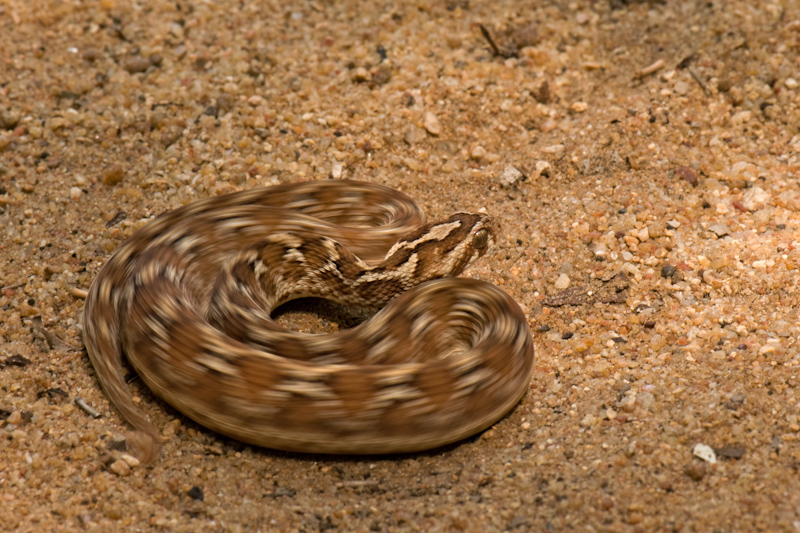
(657, 140)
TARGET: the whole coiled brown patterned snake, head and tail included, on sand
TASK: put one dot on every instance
(188, 300)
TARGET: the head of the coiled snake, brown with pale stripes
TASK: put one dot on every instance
(446, 248)
